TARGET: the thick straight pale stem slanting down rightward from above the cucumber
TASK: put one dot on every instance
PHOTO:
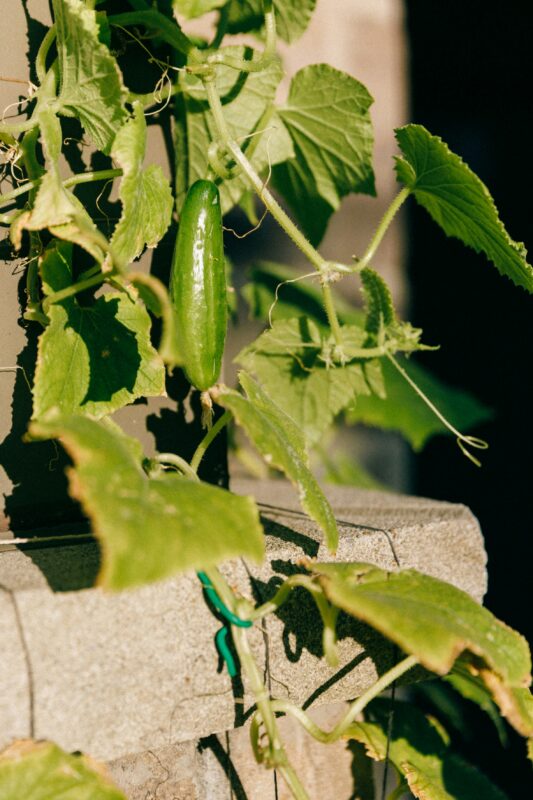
(270, 202)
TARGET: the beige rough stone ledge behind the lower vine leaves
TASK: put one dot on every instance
(136, 671)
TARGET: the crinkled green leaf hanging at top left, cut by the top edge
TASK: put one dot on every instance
(91, 86)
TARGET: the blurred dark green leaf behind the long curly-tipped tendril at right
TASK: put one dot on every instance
(403, 410)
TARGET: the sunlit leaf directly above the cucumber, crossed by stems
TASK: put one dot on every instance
(250, 116)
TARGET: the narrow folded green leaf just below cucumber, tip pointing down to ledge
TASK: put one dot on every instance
(280, 442)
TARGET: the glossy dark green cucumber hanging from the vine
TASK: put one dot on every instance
(198, 285)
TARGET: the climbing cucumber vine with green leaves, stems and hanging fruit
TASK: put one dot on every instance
(232, 143)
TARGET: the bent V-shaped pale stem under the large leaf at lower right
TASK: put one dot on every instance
(355, 707)
